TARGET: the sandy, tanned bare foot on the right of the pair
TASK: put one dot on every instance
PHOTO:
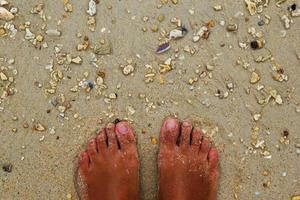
(187, 164)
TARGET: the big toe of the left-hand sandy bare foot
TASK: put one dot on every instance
(125, 135)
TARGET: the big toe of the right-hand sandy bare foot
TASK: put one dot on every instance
(169, 131)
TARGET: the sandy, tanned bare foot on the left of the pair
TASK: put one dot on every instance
(108, 169)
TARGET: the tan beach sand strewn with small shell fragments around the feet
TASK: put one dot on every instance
(209, 83)
